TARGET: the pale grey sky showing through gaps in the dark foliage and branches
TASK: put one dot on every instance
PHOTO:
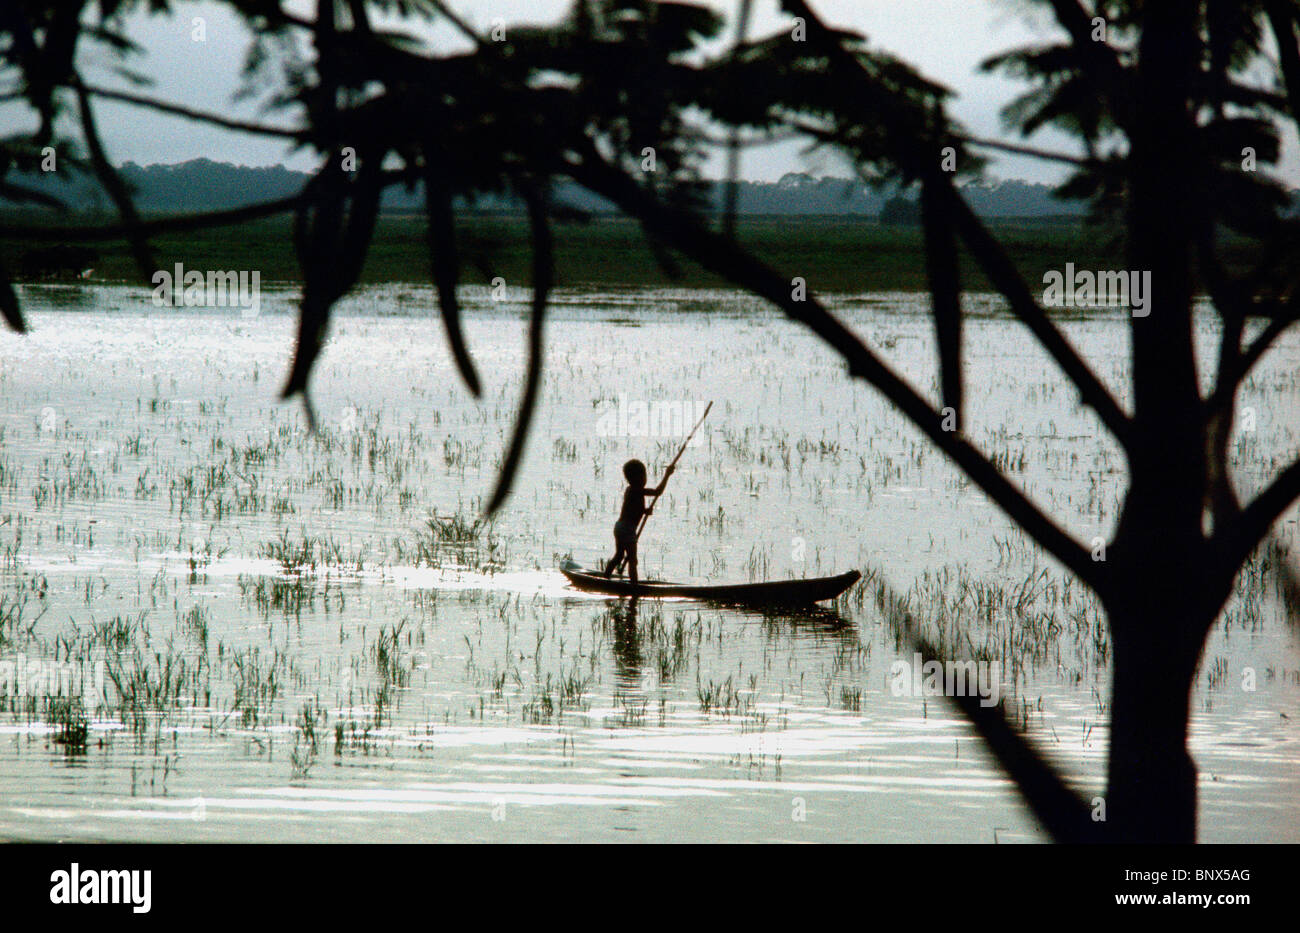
(946, 40)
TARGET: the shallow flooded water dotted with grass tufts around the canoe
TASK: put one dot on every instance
(216, 626)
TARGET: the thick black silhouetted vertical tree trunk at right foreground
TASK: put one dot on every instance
(1156, 620)
